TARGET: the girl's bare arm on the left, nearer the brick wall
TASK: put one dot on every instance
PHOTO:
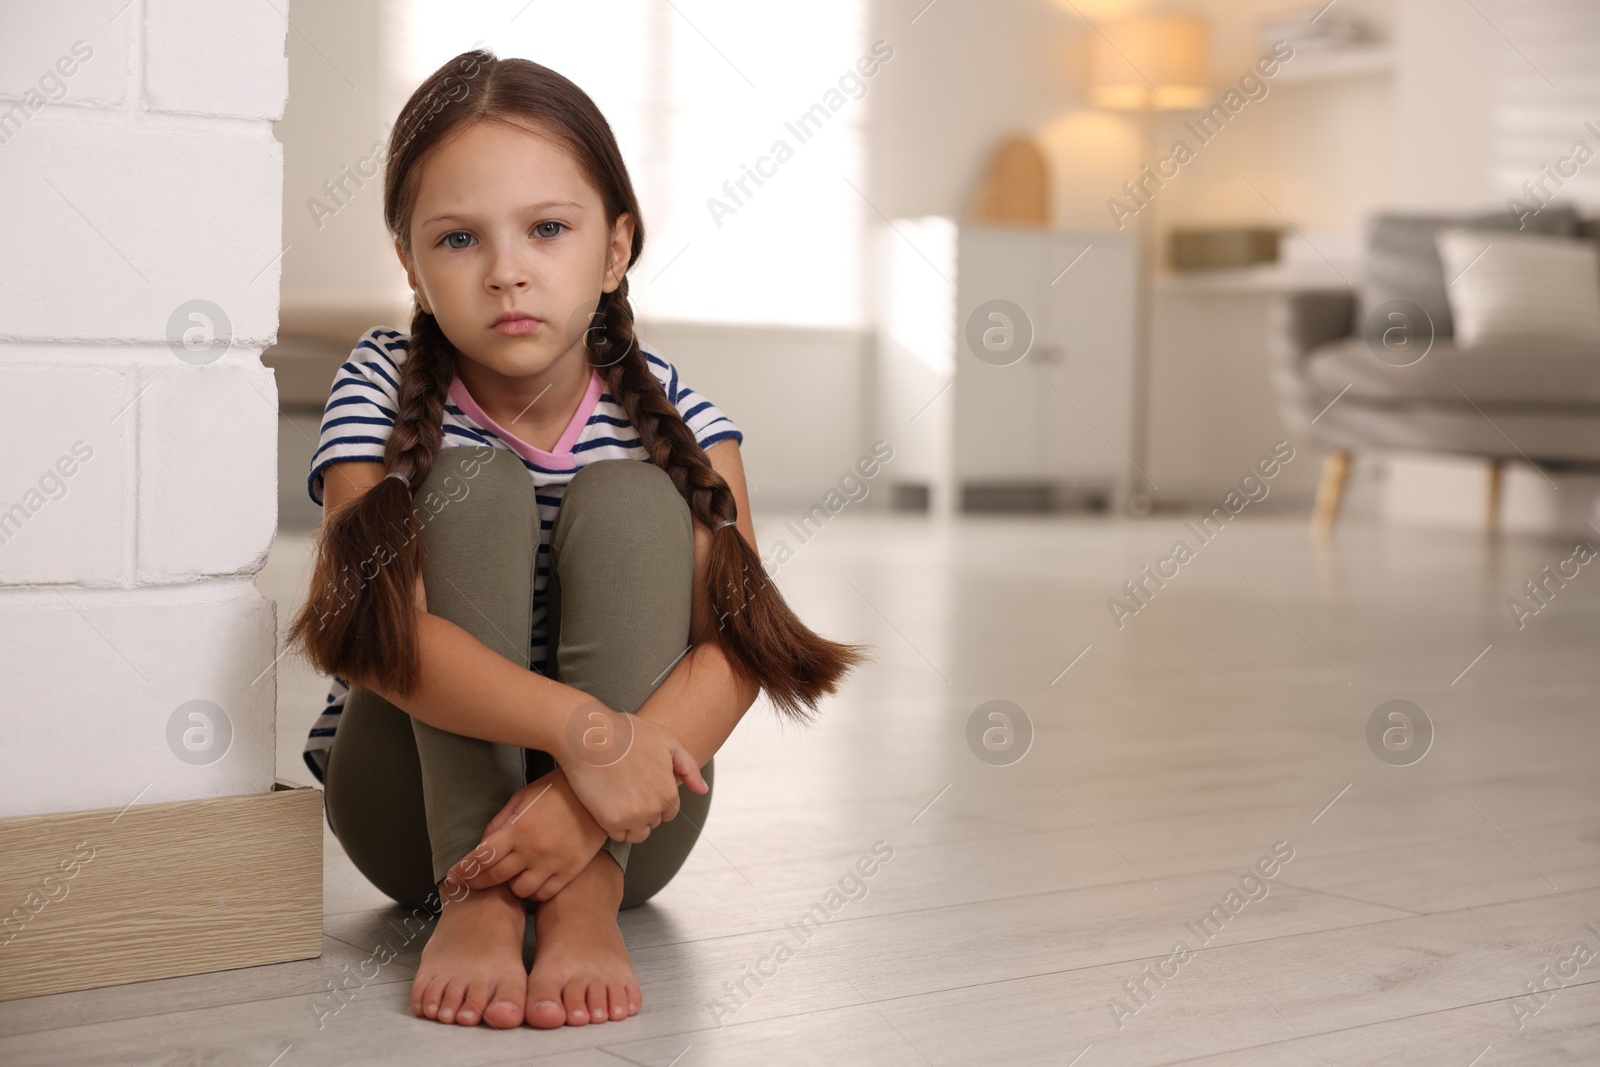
(466, 687)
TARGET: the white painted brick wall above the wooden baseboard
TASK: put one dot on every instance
(138, 487)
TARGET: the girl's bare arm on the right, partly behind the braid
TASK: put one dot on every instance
(703, 700)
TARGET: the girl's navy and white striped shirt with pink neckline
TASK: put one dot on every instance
(362, 412)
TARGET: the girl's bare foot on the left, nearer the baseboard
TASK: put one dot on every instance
(473, 965)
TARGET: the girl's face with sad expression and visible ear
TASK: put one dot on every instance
(511, 249)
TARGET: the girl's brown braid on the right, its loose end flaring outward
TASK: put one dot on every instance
(766, 642)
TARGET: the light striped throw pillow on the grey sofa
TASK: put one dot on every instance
(1529, 289)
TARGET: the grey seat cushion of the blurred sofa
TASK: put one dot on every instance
(1490, 375)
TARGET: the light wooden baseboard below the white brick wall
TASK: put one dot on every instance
(105, 898)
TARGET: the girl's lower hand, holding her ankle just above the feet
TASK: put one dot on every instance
(538, 842)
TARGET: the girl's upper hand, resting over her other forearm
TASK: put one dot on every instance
(626, 770)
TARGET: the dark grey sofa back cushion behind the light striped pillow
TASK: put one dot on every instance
(1402, 260)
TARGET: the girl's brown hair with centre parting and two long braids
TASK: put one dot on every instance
(370, 633)
